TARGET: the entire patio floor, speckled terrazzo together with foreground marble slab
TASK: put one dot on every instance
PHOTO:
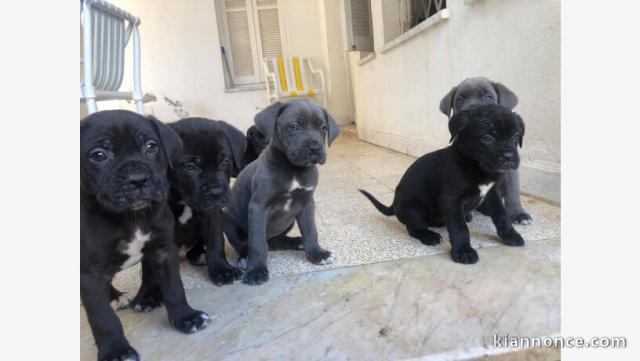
(387, 296)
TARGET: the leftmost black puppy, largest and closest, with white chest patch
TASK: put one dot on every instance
(124, 218)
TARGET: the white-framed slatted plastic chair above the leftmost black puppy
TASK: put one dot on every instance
(104, 41)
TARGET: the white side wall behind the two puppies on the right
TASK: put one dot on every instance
(516, 42)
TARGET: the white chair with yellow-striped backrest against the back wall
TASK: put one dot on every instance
(288, 78)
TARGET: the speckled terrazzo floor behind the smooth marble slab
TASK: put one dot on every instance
(350, 227)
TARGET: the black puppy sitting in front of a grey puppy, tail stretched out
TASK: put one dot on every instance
(441, 187)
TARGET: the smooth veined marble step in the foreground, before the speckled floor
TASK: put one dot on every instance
(426, 307)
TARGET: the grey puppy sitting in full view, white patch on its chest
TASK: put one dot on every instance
(276, 190)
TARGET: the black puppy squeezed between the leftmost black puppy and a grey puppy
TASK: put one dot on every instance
(211, 154)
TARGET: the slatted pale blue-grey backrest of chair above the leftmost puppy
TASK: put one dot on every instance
(109, 39)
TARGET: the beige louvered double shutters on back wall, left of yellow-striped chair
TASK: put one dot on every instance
(249, 32)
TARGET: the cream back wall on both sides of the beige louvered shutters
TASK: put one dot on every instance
(181, 58)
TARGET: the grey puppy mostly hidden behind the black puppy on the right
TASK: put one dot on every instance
(475, 91)
